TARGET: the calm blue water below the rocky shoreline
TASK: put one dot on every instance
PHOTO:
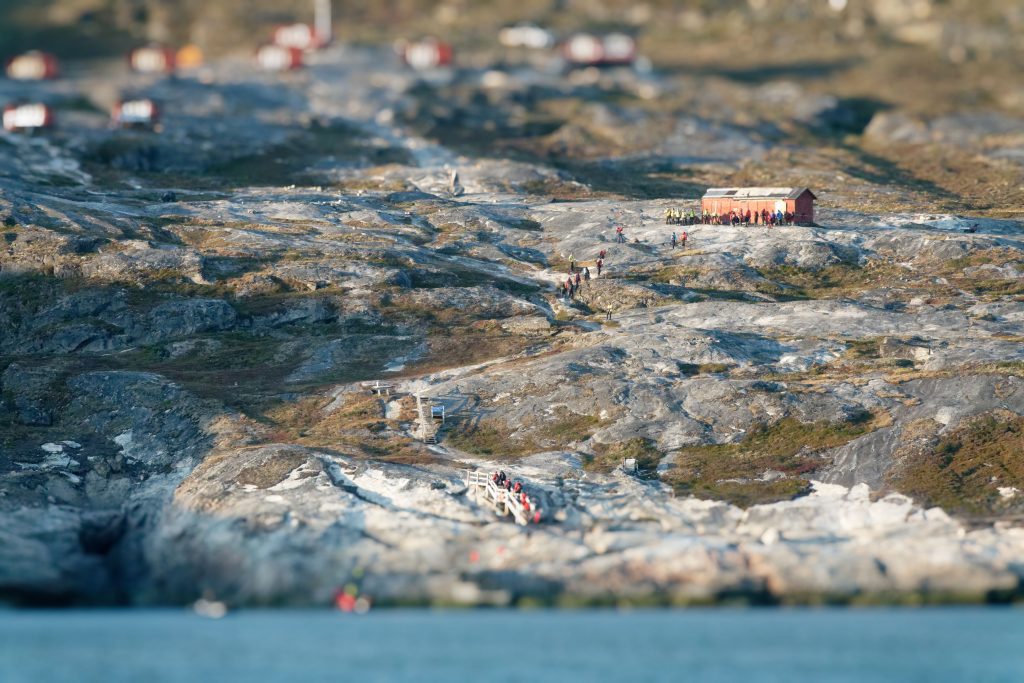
(821, 646)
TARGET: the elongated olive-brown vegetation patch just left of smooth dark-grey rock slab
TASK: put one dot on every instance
(735, 473)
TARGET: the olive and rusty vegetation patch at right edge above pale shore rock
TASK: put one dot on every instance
(964, 472)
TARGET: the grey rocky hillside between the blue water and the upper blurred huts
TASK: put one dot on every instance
(831, 413)
